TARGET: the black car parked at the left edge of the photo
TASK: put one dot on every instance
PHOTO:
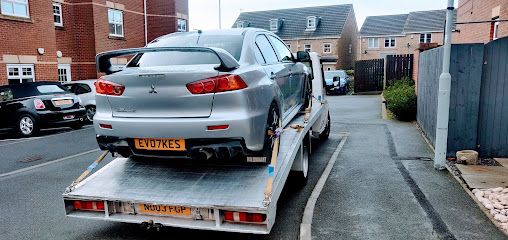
(29, 107)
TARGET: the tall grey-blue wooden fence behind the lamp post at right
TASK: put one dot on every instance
(479, 97)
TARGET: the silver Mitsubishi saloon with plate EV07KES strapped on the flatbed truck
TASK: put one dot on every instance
(201, 95)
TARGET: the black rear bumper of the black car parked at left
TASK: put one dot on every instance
(57, 118)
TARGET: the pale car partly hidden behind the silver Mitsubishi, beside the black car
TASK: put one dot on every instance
(85, 89)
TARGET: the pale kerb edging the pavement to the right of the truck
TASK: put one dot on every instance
(308, 214)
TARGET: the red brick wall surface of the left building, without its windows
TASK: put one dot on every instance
(85, 33)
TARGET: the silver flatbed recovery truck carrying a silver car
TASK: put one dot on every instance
(234, 198)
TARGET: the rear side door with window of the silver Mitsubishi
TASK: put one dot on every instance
(276, 70)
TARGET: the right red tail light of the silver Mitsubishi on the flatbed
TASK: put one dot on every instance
(222, 83)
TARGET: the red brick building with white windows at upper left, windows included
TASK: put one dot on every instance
(58, 40)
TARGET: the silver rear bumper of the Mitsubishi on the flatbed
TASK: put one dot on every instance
(245, 129)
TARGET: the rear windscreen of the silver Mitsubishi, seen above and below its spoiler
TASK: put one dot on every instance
(230, 43)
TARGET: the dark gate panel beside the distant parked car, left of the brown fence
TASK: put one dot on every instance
(369, 75)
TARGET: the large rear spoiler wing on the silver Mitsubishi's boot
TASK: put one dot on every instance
(227, 62)
